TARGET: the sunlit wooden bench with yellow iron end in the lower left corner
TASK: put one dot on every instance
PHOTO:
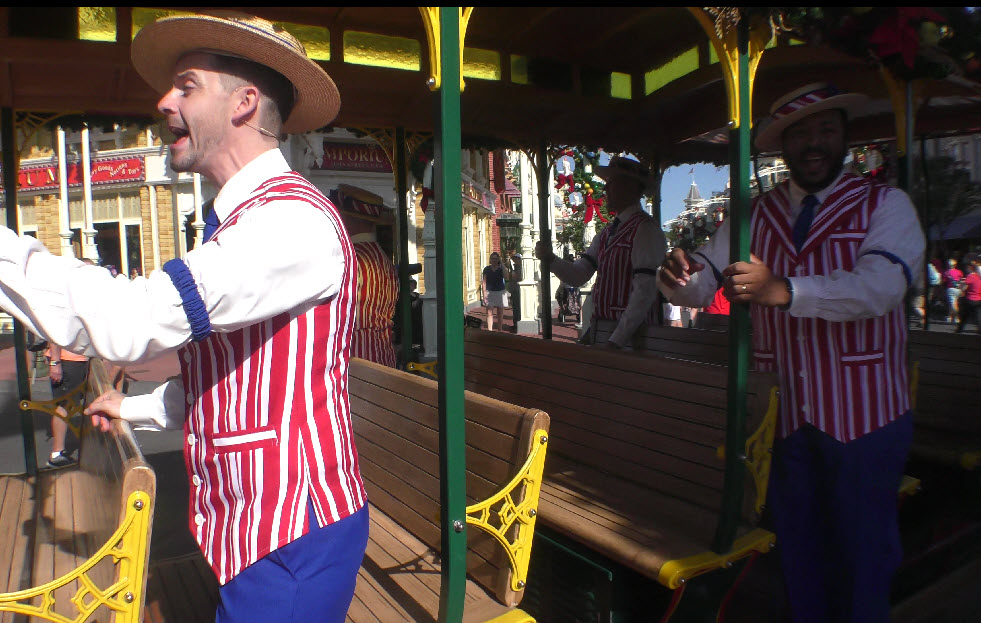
(77, 538)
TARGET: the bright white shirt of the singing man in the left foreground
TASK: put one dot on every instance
(279, 256)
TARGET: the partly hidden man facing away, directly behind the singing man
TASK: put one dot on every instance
(378, 278)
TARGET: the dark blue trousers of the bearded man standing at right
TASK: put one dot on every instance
(834, 511)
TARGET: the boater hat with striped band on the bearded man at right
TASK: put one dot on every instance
(801, 103)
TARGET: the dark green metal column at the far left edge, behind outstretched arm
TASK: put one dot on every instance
(9, 147)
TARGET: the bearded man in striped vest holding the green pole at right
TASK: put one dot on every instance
(833, 255)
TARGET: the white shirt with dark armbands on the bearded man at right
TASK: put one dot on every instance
(871, 289)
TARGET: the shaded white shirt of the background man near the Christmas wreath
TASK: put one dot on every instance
(647, 252)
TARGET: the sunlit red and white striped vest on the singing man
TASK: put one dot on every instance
(268, 419)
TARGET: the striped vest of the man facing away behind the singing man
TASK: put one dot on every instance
(378, 294)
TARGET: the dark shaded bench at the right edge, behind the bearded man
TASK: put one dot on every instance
(947, 408)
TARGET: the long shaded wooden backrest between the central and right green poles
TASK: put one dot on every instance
(654, 421)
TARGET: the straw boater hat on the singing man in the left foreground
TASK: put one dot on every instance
(159, 45)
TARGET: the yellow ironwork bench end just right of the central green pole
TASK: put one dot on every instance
(516, 517)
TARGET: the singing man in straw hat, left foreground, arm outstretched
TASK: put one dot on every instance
(261, 316)
